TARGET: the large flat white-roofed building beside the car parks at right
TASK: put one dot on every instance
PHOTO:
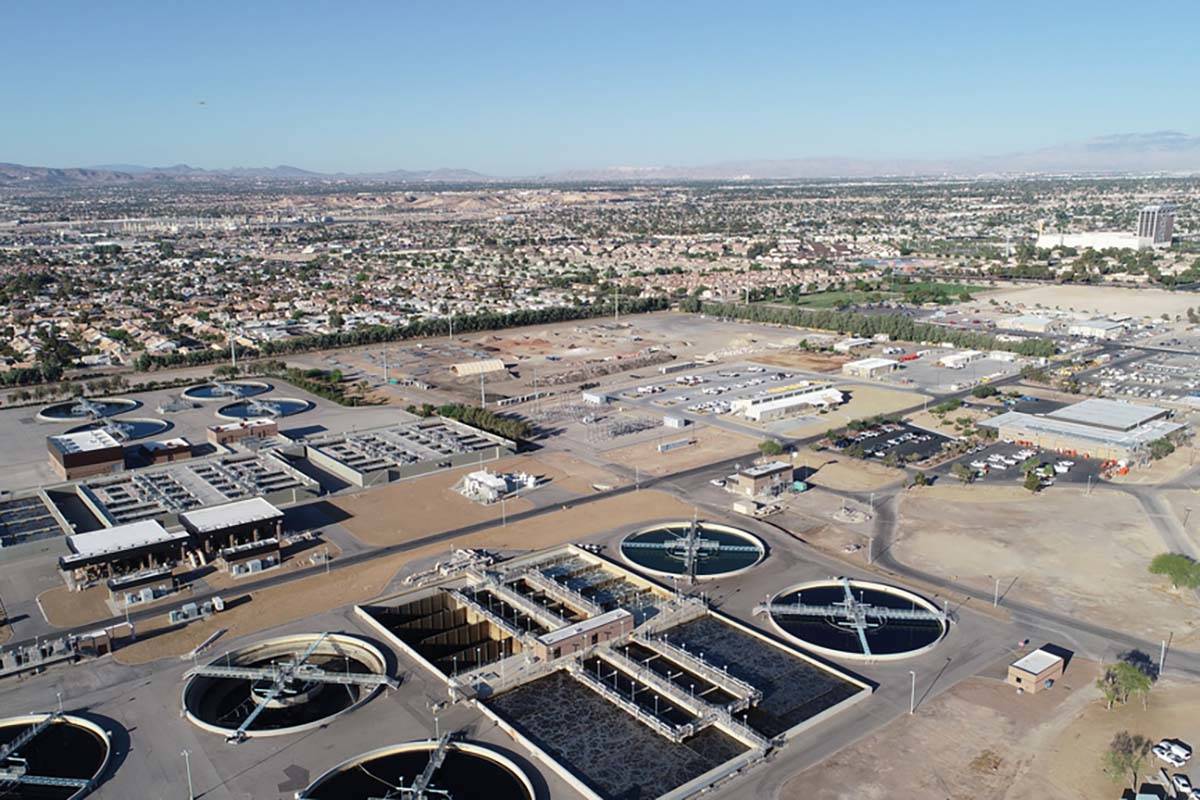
(1101, 429)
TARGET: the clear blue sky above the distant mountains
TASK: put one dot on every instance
(526, 88)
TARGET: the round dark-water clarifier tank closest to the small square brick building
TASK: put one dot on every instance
(859, 619)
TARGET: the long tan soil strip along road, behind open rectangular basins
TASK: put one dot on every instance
(322, 593)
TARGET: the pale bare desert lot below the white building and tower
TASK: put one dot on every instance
(1096, 300)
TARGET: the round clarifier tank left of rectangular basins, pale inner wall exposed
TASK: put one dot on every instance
(284, 685)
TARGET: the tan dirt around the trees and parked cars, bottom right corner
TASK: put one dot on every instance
(1070, 765)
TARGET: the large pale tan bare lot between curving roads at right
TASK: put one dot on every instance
(1087, 558)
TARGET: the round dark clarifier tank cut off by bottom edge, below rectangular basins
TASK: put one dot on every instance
(470, 772)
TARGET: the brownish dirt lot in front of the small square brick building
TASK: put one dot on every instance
(968, 744)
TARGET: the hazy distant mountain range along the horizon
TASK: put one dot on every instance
(1157, 153)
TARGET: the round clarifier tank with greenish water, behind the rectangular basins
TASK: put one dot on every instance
(706, 550)
